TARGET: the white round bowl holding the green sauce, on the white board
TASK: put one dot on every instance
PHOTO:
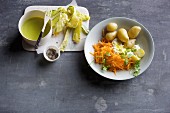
(25, 17)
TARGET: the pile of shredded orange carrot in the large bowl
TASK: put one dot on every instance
(105, 55)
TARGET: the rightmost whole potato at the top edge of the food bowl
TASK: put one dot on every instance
(134, 31)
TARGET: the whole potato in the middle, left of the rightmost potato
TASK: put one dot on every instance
(122, 35)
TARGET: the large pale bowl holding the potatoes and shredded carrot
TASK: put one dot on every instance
(144, 40)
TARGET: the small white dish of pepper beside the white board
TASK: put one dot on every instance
(51, 47)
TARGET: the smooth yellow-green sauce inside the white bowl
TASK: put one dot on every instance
(32, 28)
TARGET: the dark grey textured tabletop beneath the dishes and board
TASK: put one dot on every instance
(29, 84)
